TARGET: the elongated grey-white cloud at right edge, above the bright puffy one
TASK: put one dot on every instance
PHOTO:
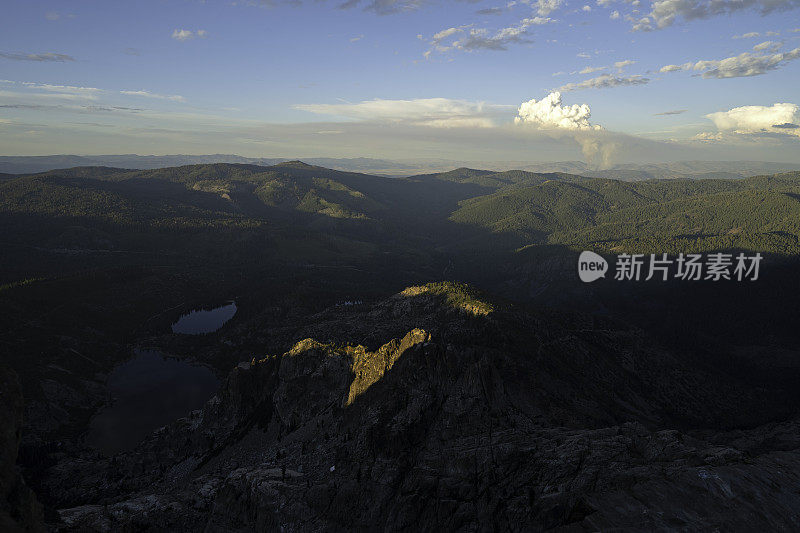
(743, 65)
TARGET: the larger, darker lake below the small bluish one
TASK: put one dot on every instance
(147, 392)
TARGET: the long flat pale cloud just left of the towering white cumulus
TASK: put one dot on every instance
(432, 112)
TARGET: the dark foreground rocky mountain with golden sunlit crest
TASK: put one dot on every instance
(436, 410)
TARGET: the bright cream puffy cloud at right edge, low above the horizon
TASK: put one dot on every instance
(781, 118)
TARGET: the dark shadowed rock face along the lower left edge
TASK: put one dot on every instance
(19, 510)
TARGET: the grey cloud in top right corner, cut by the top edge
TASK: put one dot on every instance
(664, 13)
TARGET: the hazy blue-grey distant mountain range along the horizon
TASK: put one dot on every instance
(626, 172)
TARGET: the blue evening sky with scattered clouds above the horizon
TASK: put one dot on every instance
(605, 81)
